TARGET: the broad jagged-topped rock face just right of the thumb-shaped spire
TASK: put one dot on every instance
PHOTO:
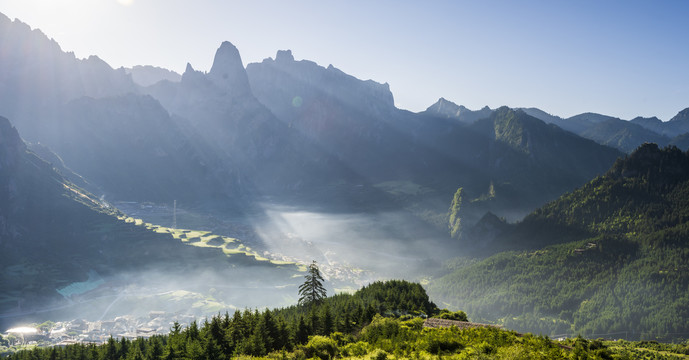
(345, 117)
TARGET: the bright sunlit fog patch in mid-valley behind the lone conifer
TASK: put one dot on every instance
(352, 247)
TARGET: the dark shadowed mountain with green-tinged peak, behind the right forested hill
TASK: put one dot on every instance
(521, 146)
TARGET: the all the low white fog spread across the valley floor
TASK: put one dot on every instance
(352, 250)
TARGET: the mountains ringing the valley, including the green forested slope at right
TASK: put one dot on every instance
(510, 186)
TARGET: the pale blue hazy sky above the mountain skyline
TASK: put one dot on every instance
(621, 58)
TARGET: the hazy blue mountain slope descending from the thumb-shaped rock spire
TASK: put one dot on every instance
(266, 155)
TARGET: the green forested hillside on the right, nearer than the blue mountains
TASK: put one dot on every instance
(622, 268)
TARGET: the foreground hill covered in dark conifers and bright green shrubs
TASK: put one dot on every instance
(384, 320)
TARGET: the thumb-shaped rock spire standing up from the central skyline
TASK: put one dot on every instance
(227, 71)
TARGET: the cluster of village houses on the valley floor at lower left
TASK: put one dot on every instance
(97, 332)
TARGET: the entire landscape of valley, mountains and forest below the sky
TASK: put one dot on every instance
(136, 199)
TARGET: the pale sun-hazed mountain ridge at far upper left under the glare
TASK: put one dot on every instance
(36, 77)
